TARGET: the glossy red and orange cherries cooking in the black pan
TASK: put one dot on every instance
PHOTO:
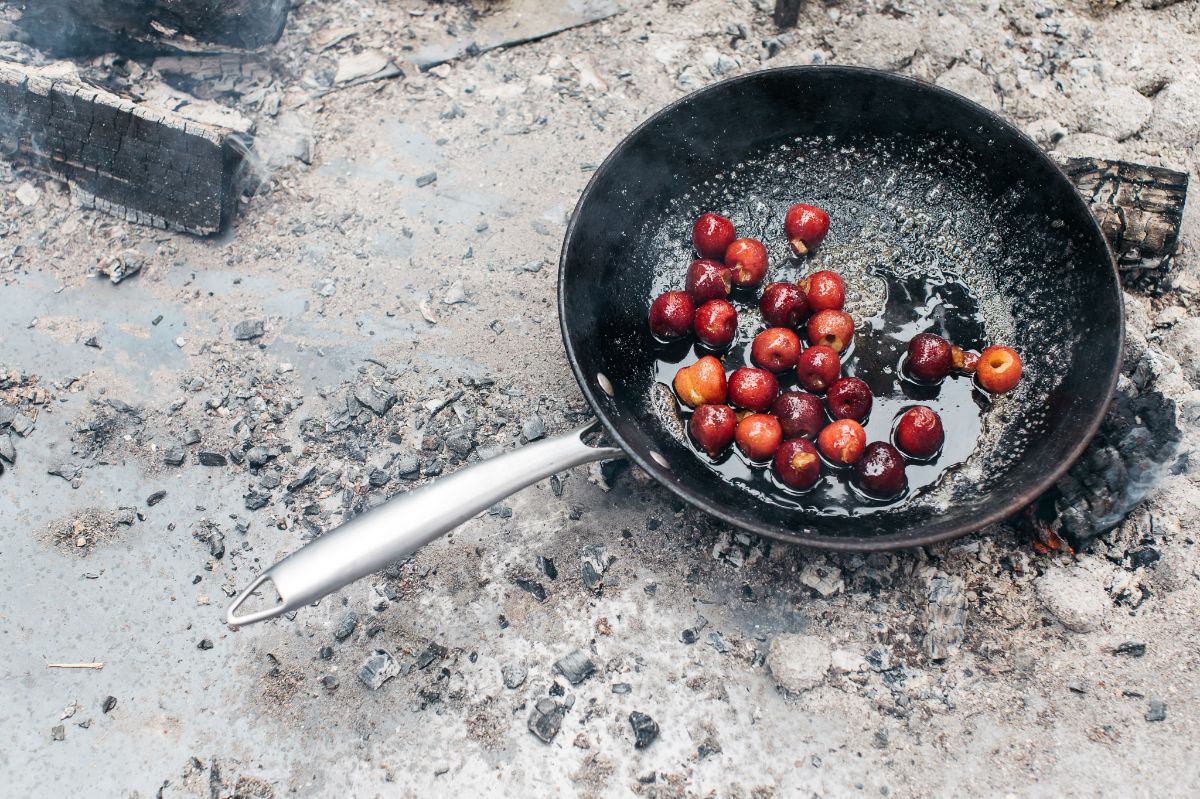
(747, 406)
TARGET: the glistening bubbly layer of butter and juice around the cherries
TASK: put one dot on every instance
(920, 254)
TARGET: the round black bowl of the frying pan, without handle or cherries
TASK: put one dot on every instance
(944, 219)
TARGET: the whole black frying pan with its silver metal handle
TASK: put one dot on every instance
(920, 183)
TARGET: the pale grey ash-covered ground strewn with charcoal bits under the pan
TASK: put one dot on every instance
(383, 311)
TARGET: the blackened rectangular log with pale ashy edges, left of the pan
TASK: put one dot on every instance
(146, 166)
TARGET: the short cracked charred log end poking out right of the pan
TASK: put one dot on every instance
(1139, 209)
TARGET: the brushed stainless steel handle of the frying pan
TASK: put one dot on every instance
(407, 522)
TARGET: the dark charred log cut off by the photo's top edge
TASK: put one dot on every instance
(76, 28)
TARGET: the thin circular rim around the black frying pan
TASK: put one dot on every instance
(845, 544)
